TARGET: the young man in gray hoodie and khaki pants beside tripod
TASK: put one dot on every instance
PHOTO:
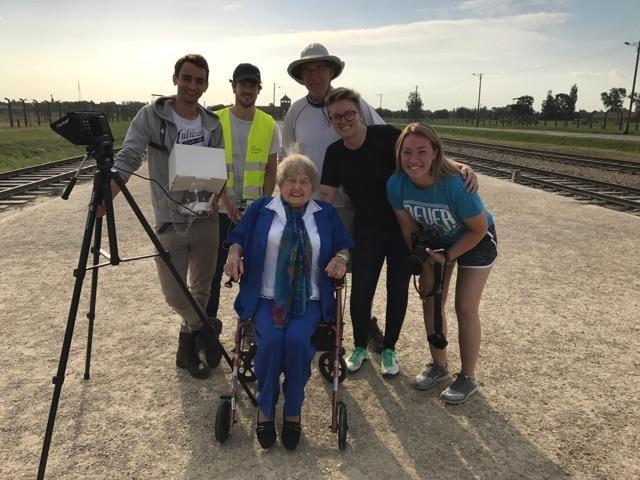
(191, 242)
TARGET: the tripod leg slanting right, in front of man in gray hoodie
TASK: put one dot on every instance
(167, 260)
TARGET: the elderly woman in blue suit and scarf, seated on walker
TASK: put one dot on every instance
(285, 251)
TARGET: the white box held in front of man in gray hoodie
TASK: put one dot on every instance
(197, 168)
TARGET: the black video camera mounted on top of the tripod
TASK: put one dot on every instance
(84, 128)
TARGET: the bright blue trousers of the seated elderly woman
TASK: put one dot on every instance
(285, 350)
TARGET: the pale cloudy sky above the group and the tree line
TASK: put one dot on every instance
(125, 51)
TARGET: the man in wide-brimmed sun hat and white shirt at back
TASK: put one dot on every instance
(308, 130)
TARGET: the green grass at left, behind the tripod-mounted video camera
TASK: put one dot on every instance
(23, 147)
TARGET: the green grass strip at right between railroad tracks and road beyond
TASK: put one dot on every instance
(599, 147)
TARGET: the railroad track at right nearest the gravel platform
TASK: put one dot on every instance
(605, 194)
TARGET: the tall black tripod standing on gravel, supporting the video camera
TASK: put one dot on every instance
(103, 153)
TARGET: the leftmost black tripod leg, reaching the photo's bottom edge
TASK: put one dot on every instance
(79, 273)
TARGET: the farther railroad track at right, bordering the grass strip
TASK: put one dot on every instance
(622, 166)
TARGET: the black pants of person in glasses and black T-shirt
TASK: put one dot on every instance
(373, 246)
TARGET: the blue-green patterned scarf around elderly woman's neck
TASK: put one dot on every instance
(293, 268)
